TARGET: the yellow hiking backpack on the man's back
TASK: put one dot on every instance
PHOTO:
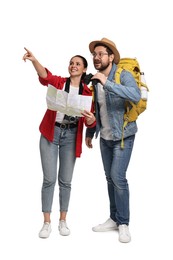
(132, 110)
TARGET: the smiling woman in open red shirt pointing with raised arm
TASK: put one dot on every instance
(61, 137)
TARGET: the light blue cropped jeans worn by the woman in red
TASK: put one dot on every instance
(63, 149)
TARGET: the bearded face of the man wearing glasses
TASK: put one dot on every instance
(101, 58)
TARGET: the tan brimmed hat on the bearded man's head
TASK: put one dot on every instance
(108, 43)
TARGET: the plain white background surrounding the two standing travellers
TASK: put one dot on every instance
(54, 31)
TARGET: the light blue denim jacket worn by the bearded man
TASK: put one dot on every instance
(116, 96)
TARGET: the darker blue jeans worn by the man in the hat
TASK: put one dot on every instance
(115, 162)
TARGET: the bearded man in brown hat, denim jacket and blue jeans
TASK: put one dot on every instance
(110, 99)
